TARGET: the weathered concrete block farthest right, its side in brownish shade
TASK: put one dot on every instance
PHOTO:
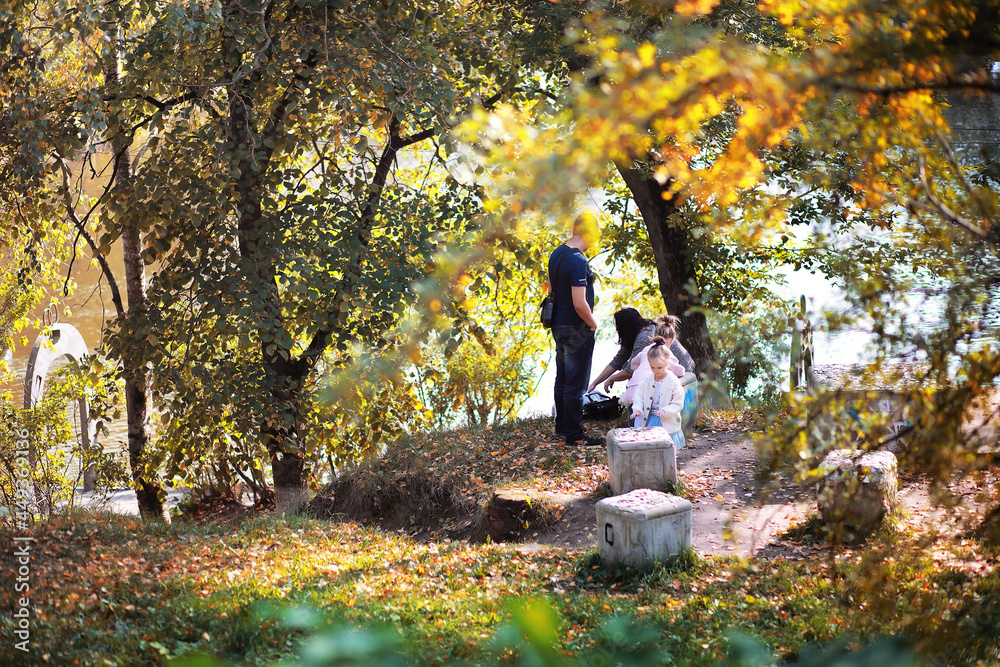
(857, 488)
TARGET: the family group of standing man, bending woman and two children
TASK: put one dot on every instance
(651, 359)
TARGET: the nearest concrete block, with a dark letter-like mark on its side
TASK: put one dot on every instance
(642, 526)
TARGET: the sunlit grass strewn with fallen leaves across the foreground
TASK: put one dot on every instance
(107, 588)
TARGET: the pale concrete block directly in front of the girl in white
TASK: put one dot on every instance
(641, 459)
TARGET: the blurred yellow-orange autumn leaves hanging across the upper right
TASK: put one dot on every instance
(705, 111)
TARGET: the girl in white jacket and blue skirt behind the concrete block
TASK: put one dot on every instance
(659, 397)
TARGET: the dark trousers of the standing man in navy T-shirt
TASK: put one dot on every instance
(574, 352)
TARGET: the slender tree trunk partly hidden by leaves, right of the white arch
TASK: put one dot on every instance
(137, 375)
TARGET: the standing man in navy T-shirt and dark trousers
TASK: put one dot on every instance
(573, 327)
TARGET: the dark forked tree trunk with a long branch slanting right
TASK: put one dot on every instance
(252, 130)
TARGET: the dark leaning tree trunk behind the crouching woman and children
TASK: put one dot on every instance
(674, 271)
